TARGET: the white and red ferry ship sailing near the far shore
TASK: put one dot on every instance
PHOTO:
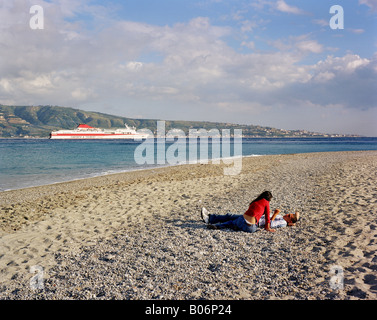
(84, 131)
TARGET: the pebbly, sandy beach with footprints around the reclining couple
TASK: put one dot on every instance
(139, 235)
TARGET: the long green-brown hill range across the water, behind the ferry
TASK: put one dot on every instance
(39, 121)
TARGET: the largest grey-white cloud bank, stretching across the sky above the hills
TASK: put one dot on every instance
(180, 71)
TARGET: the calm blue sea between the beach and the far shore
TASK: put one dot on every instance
(33, 162)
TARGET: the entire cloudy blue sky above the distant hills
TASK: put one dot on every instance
(276, 63)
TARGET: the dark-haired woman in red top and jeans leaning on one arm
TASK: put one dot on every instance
(247, 222)
